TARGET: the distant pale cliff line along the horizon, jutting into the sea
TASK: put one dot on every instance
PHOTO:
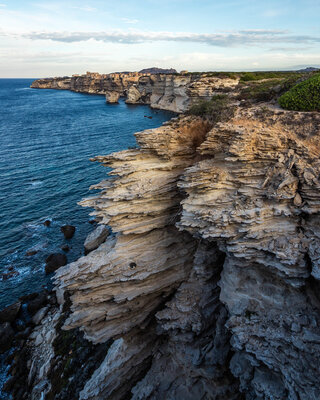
(173, 92)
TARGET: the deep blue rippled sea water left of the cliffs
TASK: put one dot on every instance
(46, 140)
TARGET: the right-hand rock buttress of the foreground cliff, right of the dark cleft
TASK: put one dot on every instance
(256, 193)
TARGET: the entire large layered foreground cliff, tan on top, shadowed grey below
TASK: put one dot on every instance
(210, 285)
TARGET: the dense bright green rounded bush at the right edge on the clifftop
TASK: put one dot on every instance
(305, 96)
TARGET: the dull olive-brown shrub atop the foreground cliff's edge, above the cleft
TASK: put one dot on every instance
(215, 110)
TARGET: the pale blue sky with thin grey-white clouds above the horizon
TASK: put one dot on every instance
(58, 38)
